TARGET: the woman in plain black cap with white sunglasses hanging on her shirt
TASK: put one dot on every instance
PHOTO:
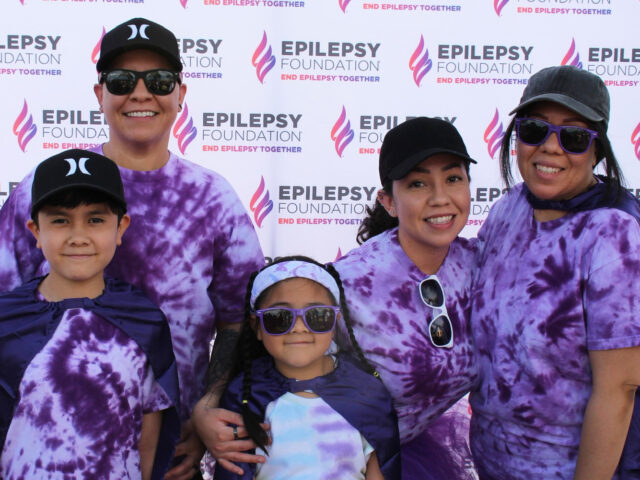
(408, 287)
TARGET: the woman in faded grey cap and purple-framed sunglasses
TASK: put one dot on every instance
(556, 294)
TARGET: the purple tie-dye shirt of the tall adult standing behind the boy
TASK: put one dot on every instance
(191, 247)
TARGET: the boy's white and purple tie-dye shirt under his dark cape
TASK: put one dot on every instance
(82, 399)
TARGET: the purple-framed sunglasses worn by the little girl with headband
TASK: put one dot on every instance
(280, 320)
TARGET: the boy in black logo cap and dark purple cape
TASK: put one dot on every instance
(87, 372)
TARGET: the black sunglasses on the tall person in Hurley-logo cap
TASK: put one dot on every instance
(123, 82)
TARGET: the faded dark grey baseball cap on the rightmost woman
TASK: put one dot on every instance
(580, 91)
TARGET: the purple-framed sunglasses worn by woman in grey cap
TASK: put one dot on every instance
(534, 132)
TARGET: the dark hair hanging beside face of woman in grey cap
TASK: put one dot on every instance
(615, 183)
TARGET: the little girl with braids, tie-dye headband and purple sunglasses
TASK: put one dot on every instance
(330, 416)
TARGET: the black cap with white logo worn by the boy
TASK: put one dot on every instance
(76, 169)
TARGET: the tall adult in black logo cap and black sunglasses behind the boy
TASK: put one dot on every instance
(191, 246)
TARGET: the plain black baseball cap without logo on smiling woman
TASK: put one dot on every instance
(415, 140)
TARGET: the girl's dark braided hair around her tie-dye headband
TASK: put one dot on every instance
(250, 348)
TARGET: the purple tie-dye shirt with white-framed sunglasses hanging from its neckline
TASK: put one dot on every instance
(390, 323)
